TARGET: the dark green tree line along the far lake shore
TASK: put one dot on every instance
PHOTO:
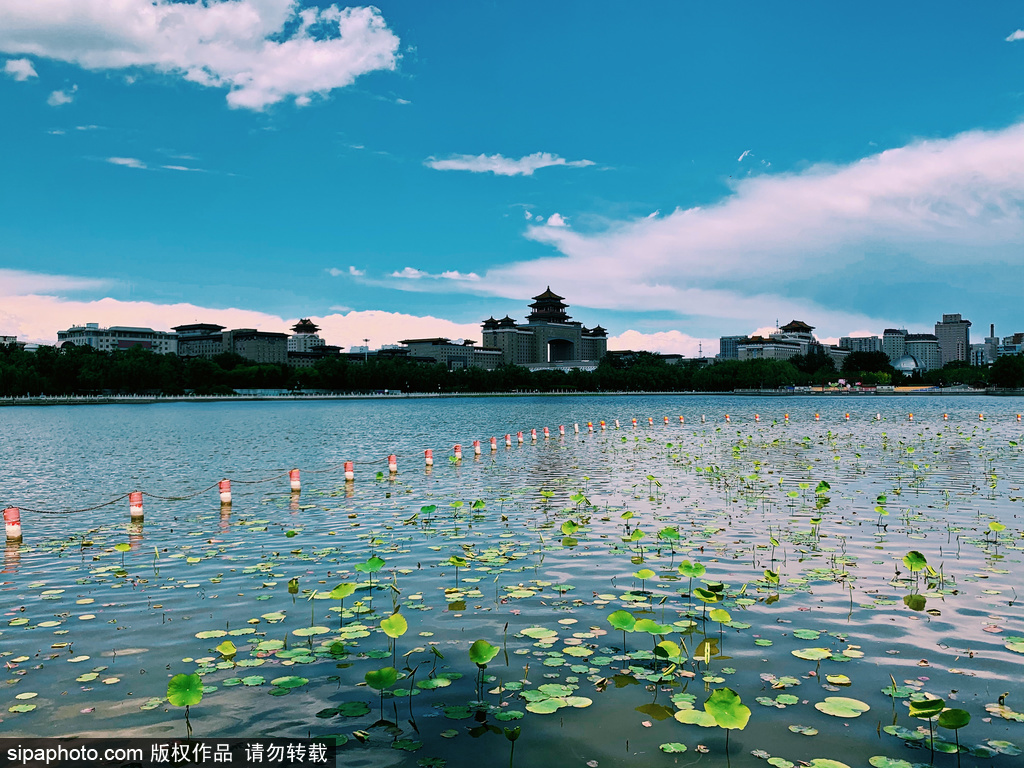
(84, 371)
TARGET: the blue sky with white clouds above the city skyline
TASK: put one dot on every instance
(689, 170)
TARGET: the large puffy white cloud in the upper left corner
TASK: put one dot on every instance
(263, 52)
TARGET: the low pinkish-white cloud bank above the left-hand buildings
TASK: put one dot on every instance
(35, 307)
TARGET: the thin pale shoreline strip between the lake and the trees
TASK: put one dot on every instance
(155, 400)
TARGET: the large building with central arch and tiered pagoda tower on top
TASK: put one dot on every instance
(549, 338)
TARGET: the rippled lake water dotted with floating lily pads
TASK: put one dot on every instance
(96, 633)
